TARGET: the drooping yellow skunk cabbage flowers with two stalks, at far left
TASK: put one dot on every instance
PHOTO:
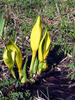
(12, 55)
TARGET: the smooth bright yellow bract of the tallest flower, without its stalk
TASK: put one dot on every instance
(36, 35)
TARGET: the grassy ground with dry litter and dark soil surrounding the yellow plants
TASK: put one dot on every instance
(58, 18)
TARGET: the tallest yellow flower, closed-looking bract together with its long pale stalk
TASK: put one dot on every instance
(35, 40)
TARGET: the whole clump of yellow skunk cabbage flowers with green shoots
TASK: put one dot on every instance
(40, 45)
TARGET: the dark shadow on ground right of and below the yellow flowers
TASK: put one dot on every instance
(58, 86)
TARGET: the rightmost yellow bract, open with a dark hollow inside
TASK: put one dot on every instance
(44, 47)
